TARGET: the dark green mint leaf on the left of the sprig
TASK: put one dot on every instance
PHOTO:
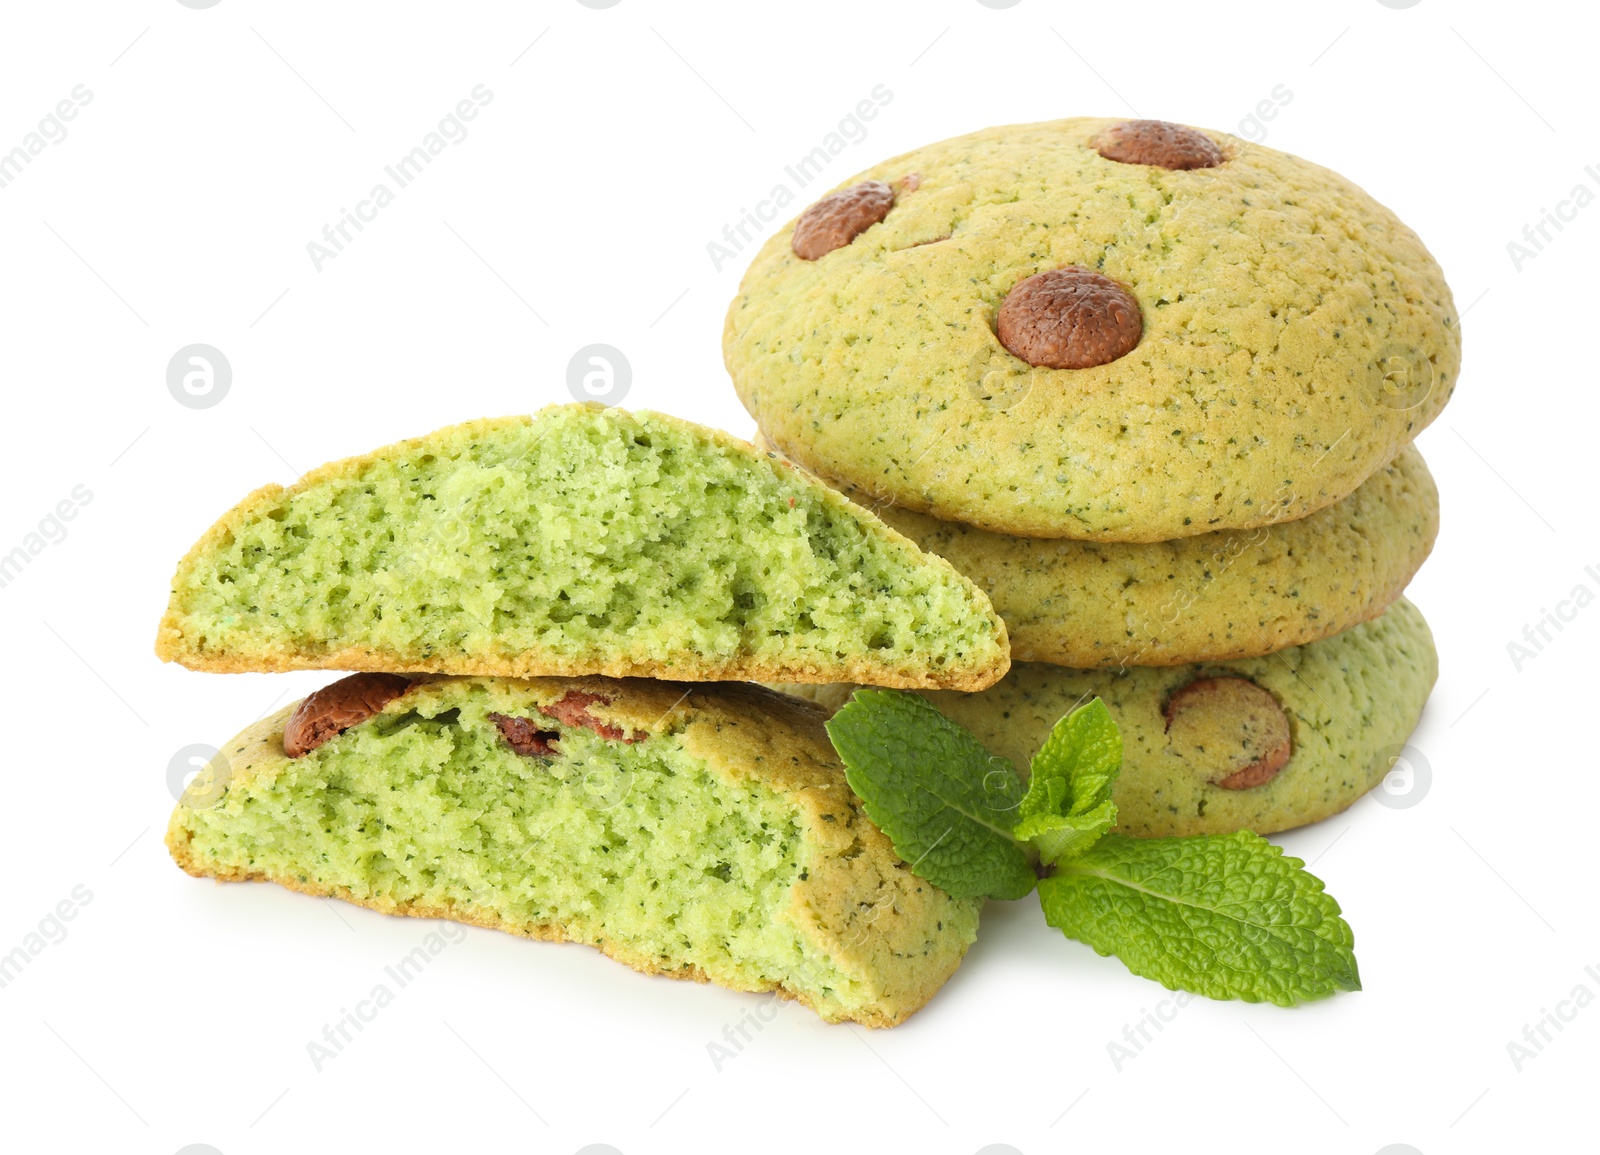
(945, 802)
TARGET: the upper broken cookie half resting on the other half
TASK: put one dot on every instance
(585, 540)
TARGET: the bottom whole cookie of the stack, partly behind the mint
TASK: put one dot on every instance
(1260, 745)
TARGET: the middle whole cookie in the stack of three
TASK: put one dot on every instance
(1214, 597)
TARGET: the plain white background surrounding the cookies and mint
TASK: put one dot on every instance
(578, 210)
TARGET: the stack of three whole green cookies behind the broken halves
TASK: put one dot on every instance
(1154, 390)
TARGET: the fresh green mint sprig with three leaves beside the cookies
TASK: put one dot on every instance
(1218, 916)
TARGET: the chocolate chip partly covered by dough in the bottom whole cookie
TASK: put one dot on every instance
(1233, 722)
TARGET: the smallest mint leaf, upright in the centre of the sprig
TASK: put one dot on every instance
(1068, 805)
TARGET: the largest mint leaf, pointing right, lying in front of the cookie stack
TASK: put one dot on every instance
(1220, 916)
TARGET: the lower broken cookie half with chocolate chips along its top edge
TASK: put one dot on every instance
(695, 831)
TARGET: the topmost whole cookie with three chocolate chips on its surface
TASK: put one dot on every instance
(1095, 329)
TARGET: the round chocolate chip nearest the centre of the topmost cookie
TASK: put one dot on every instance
(1070, 319)
